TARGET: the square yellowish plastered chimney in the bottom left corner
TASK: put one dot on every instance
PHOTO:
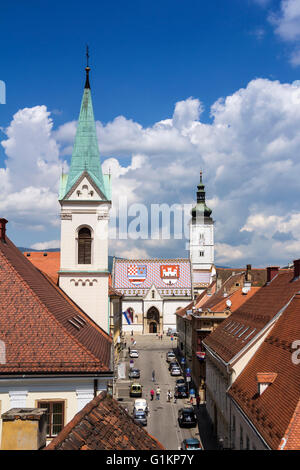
(24, 429)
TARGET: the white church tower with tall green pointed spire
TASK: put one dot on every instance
(85, 201)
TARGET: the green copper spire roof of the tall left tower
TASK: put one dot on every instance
(85, 156)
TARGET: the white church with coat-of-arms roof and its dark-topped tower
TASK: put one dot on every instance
(154, 289)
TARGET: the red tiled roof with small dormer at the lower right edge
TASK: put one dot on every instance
(276, 412)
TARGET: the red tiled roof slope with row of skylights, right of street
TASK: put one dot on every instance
(249, 319)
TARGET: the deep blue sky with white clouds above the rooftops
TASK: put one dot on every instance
(177, 87)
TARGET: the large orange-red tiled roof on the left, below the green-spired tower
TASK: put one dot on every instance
(42, 329)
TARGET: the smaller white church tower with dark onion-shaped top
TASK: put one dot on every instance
(201, 241)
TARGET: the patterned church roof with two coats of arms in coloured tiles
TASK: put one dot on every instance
(165, 274)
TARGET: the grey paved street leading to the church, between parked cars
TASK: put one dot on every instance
(162, 418)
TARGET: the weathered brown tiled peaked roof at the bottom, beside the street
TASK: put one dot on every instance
(103, 425)
